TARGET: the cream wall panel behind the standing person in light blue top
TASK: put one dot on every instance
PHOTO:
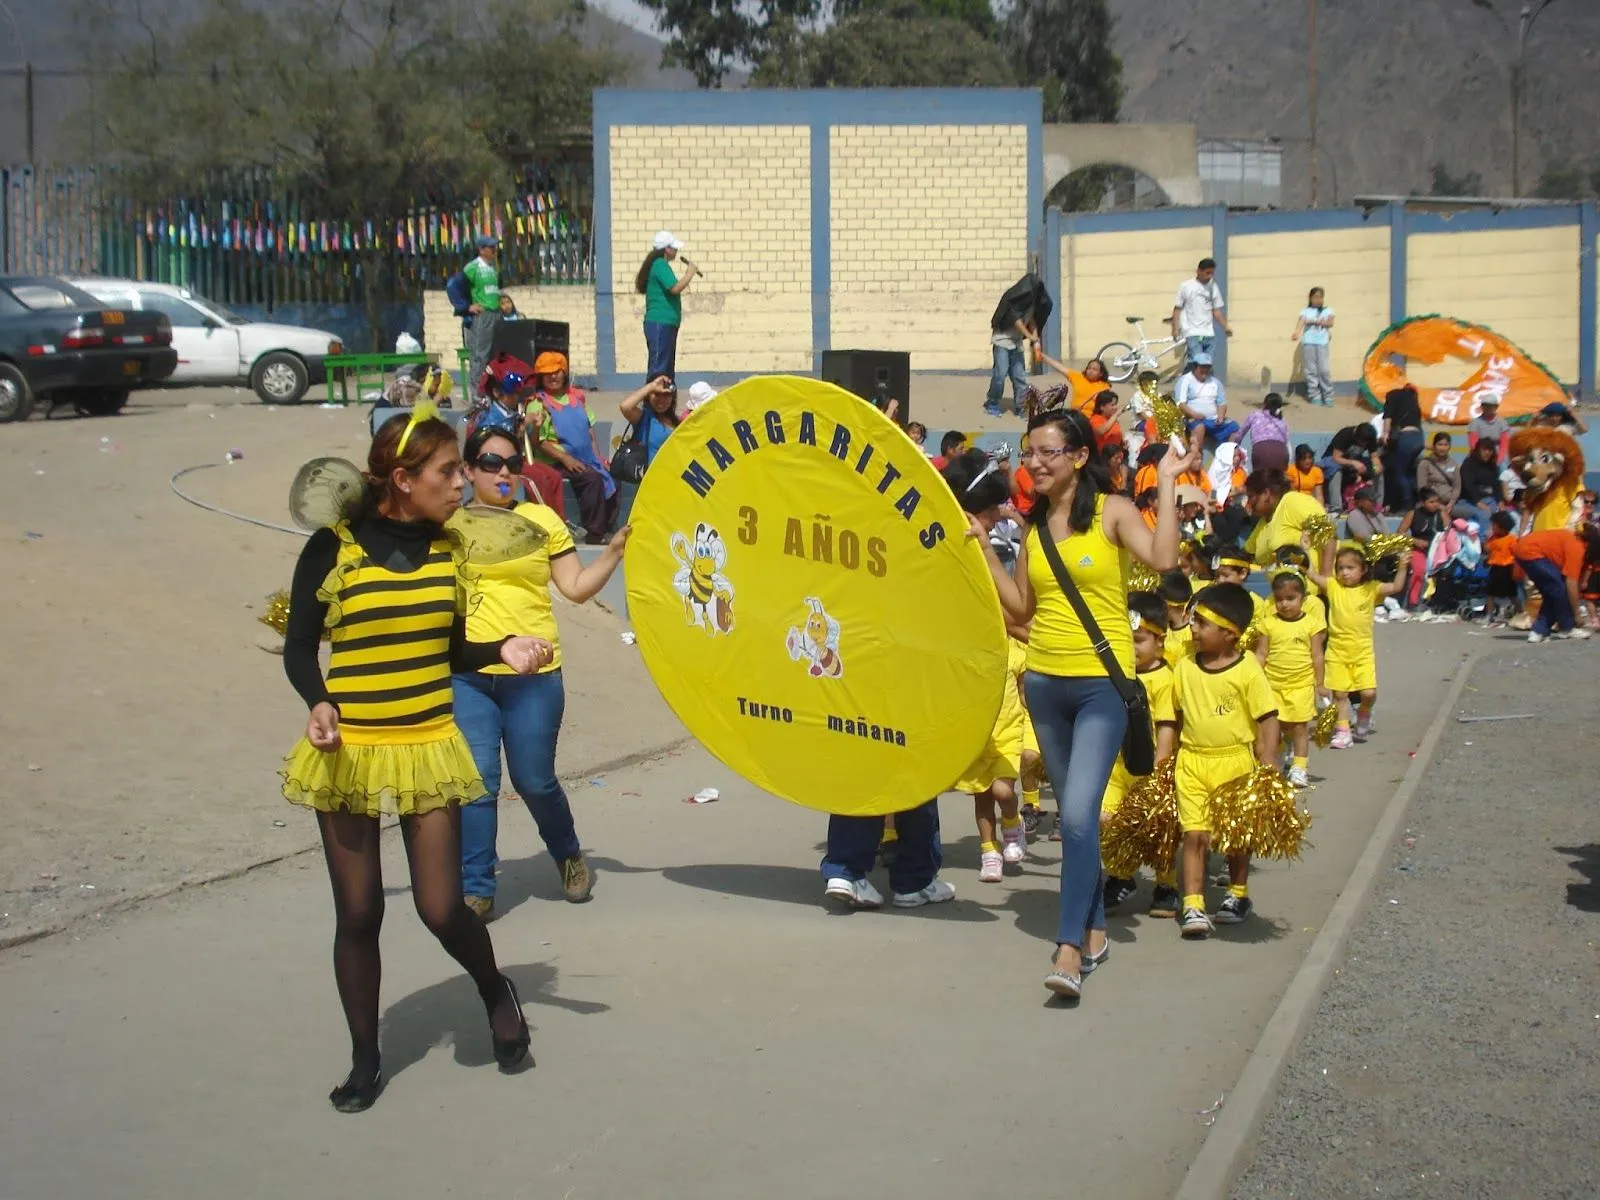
(1268, 279)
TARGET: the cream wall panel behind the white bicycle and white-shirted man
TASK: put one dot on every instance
(1108, 278)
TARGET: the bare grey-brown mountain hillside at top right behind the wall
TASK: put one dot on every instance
(1404, 86)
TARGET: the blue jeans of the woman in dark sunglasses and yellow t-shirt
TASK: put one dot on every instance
(526, 714)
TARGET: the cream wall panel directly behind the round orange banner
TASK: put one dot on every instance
(1519, 282)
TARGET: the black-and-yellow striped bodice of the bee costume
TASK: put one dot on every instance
(390, 657)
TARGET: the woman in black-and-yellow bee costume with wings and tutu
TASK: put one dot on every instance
(380, 578)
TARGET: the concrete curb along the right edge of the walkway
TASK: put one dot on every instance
(1231, 1145)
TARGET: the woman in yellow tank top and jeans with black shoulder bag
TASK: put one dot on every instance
(1078, 711)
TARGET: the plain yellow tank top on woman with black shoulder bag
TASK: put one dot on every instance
(1058, 646)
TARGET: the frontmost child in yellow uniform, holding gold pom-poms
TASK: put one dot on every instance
(1228, 722)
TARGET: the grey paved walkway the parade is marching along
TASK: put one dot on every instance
(705, 1028)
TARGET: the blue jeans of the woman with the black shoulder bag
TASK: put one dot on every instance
(1081, 724)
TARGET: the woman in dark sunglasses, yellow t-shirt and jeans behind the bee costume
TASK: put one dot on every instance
(524, 713)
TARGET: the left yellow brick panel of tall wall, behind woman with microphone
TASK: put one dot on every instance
(740, 198)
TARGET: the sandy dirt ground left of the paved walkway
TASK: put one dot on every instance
(146, 706)
